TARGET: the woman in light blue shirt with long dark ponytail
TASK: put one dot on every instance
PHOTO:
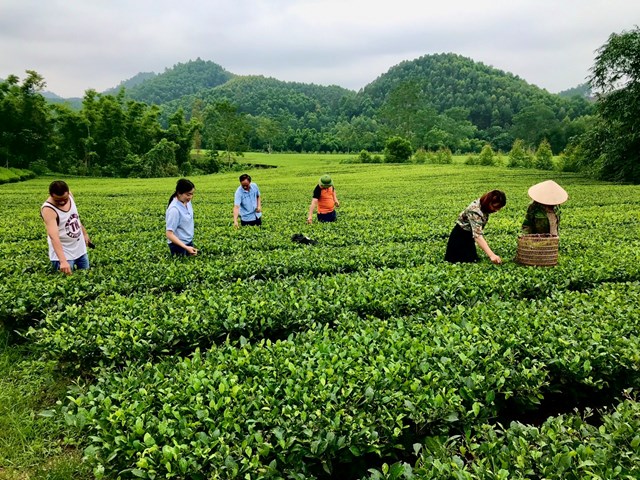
(179, 219)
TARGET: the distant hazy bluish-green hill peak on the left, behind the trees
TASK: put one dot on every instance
(180, 80)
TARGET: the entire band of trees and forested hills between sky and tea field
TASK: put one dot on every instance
(148, 126)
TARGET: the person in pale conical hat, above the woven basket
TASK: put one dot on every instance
(543, 215)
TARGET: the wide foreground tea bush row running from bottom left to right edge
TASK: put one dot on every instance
(367, 387)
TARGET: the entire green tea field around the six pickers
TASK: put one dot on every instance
(364, 356)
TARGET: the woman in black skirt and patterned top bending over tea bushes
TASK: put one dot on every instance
(469, 229)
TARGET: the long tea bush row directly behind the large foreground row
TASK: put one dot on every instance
(155, 322)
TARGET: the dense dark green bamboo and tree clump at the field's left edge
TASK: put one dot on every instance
(109, 136)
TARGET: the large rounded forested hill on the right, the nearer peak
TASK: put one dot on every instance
(447, 81)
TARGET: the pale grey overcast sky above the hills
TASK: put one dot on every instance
(82, 44)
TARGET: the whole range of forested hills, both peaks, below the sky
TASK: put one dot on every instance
(434, 91)
